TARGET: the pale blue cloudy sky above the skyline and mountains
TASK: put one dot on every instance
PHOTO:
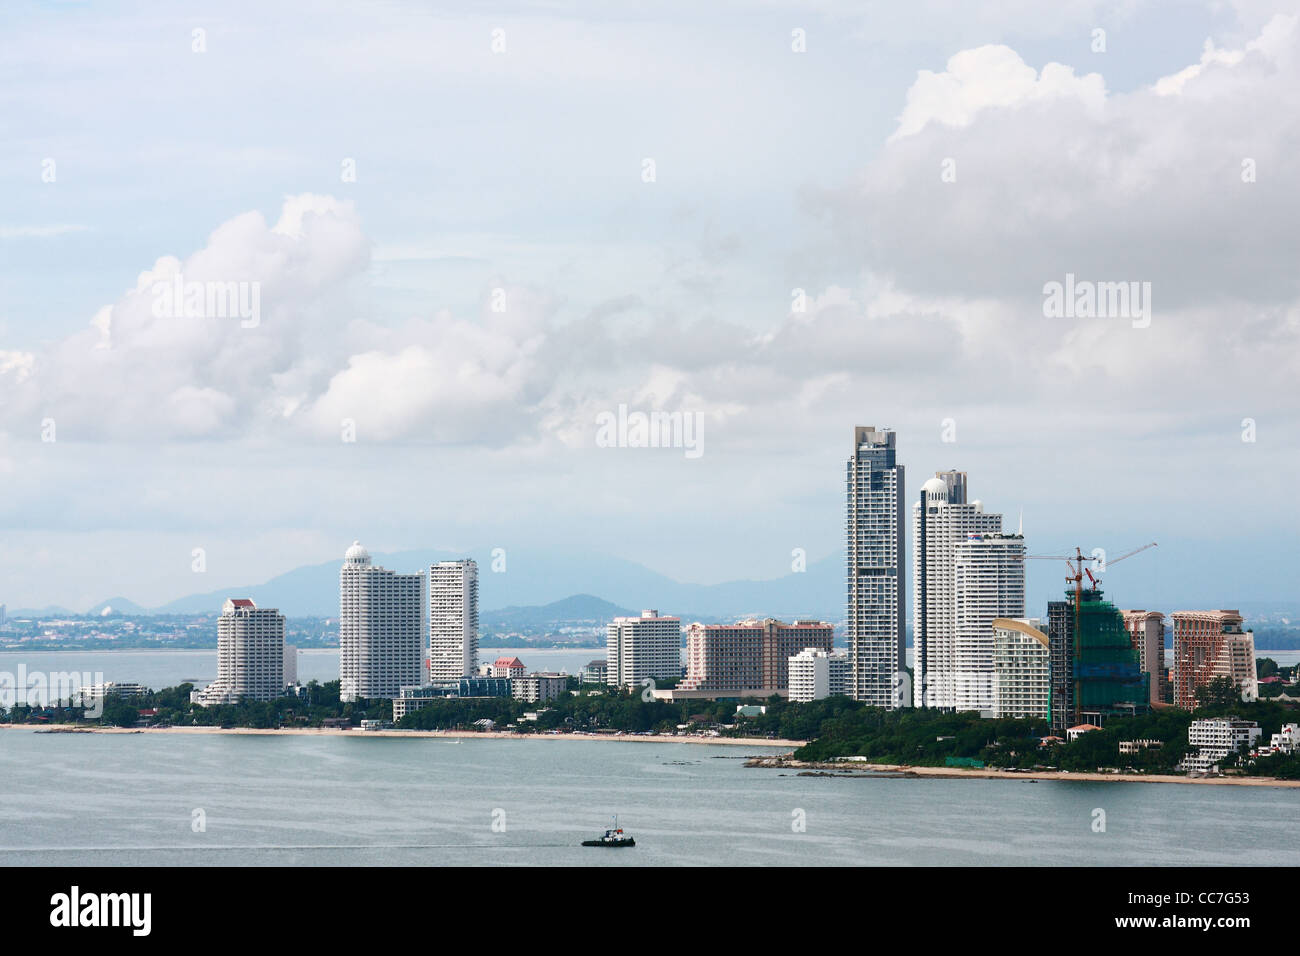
(475, 232)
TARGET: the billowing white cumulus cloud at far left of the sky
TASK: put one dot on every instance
(146, 373)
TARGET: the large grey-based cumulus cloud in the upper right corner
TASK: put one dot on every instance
(1182, 184)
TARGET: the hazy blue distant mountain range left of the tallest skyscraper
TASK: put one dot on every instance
(538, 589)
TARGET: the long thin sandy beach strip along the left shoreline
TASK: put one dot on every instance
(408, 734)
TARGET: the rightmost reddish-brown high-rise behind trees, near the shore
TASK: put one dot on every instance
(1207, 646)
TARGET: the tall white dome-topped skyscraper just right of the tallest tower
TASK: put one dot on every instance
(939, 521)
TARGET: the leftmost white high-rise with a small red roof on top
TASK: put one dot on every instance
(250, 655)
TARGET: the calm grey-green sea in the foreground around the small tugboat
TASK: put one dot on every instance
(328, 801)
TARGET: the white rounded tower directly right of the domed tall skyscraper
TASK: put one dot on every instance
(989, 583)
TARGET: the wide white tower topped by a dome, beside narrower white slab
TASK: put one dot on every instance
(380, 629)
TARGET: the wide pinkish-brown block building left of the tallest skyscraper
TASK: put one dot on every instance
(751, 655)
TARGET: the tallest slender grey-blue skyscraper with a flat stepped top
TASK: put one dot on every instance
(874, 530)
